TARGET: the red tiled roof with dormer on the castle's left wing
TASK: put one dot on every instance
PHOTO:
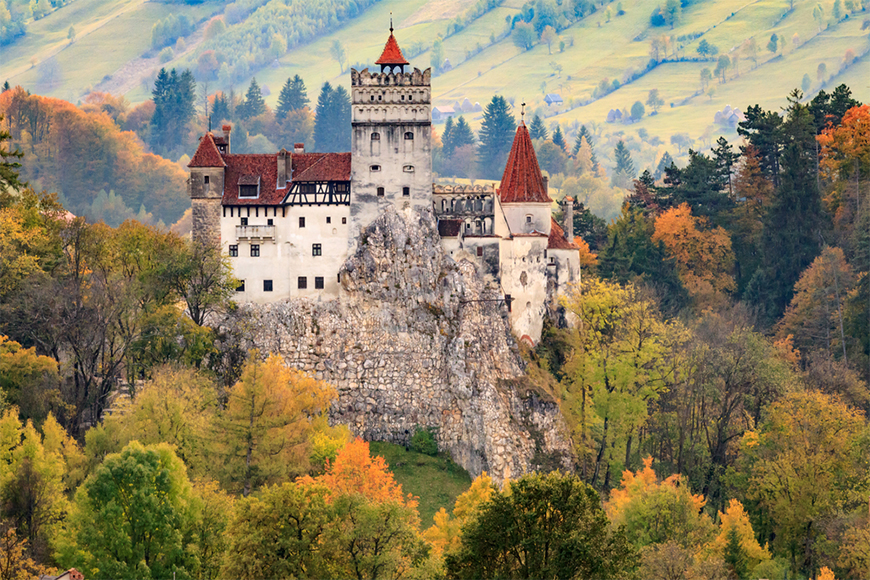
(248, 168)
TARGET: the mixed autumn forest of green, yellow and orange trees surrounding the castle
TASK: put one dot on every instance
(715, 379)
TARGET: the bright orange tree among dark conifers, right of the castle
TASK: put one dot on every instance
(704, 257)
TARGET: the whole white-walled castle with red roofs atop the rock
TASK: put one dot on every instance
(325, 199)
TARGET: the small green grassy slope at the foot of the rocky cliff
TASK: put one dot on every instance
(437, 481)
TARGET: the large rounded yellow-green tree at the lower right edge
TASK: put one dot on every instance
(802, 466)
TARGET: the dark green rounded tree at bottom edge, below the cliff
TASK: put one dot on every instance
(543, 526)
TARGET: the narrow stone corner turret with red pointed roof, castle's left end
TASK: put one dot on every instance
(206, 186)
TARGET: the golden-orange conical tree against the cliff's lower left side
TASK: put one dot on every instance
(263, 431)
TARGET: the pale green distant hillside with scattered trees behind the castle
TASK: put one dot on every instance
(600, 63)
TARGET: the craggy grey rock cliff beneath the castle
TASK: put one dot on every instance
(416, 341)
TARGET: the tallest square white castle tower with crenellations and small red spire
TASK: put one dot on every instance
(392, 138)
